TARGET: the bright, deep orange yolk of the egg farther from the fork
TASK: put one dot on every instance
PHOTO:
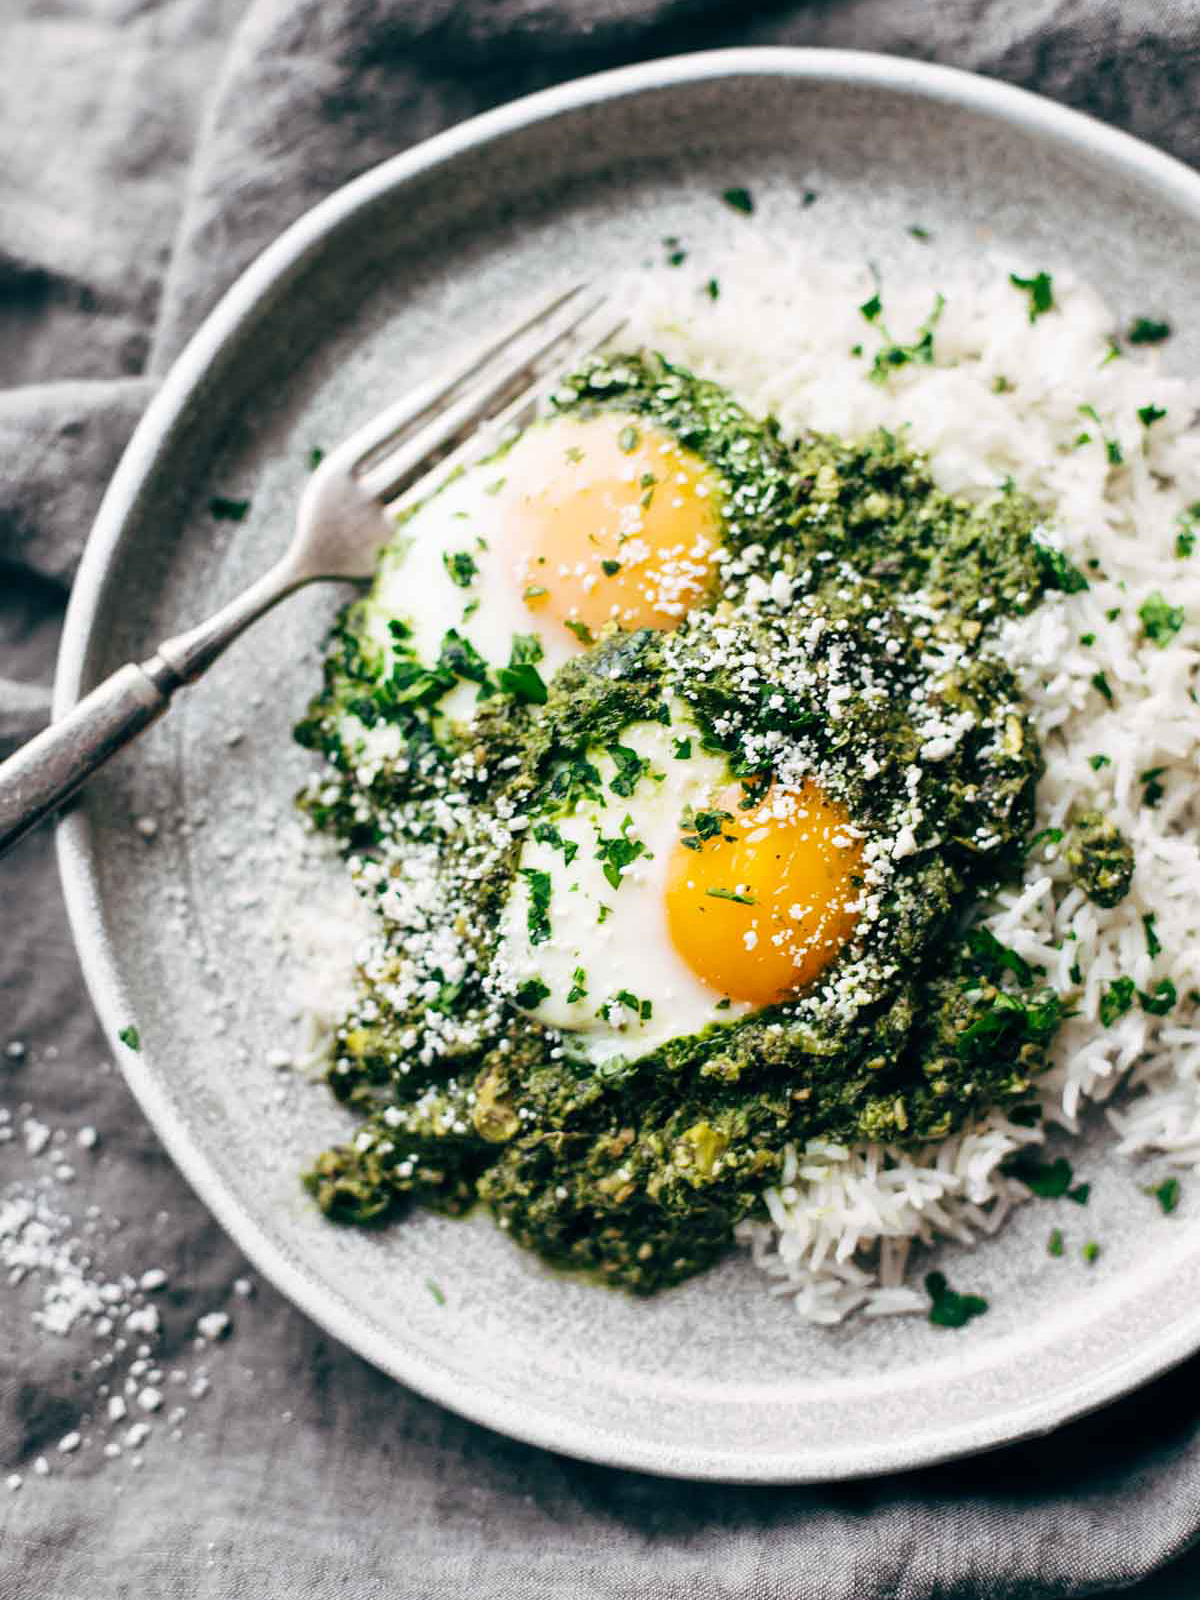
(761, 908)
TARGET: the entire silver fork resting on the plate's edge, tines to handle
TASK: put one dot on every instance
(402, 455)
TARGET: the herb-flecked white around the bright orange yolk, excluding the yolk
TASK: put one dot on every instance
(631, 950)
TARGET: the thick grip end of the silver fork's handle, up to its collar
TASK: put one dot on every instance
(47, 772)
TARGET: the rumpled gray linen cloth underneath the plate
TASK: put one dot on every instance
(148, 151)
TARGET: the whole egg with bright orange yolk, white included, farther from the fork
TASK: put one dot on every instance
(673, 900)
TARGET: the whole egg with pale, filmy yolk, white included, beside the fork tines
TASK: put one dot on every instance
(585, 521)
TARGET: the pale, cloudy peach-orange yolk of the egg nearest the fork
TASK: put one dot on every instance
(612, 521)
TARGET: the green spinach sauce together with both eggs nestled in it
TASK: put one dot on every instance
(678, 761)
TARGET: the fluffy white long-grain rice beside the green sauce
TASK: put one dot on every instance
(780, 337)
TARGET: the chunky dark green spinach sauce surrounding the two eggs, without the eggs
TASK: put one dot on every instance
(639, 1170)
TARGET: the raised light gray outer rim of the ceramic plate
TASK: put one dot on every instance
(1041, 1414)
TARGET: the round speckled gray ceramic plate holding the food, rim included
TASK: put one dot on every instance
(206, 935)
